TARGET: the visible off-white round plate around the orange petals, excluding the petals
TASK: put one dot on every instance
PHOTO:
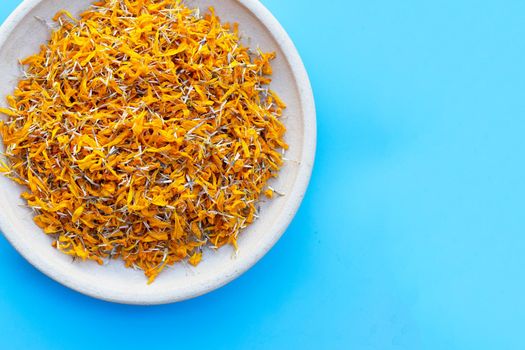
(23, 33)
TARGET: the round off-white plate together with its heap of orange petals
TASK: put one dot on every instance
(151, 150)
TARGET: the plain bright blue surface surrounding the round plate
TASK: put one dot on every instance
(411, 235)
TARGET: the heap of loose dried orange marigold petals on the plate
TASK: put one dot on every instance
(143, 131)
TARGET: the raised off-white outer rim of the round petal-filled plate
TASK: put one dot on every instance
(294, 200)
